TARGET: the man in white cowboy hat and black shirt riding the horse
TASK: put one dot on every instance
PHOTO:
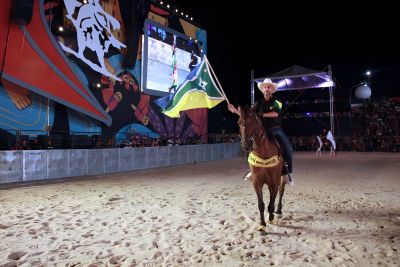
(268, 108)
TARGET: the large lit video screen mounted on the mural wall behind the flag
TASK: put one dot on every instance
(168, 57)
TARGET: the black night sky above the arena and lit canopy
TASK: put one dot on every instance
(270, 37)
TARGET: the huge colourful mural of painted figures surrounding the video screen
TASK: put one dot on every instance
(75, 69)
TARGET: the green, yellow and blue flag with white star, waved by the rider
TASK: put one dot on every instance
(197, 91)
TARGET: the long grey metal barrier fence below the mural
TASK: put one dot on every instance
(29, 165)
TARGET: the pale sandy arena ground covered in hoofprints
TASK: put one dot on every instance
(342, 211)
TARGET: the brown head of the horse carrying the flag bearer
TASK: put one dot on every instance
(251, 128)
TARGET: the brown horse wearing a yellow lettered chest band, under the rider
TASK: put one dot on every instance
(265, 161)
